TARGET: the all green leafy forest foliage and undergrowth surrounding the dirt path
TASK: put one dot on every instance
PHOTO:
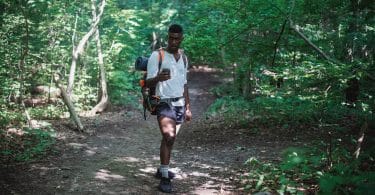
(279, 82)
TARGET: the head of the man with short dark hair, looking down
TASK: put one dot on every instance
(175, 37)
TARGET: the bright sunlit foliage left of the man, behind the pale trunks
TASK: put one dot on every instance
(45, 30)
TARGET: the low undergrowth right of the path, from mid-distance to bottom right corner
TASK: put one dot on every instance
(327, 166)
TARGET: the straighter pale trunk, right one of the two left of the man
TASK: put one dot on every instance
(103, 103)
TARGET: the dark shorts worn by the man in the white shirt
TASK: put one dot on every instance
(177, 113)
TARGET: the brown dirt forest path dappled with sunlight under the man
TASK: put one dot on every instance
(120, 153)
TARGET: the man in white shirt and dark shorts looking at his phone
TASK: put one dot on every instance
(171, 86)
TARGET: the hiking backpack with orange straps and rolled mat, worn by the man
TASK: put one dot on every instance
(149, 99)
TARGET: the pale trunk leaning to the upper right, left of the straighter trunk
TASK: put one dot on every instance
(80, 48)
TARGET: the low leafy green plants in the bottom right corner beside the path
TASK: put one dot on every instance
(302, 168)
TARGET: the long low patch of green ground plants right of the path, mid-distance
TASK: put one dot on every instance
(280, 109)
